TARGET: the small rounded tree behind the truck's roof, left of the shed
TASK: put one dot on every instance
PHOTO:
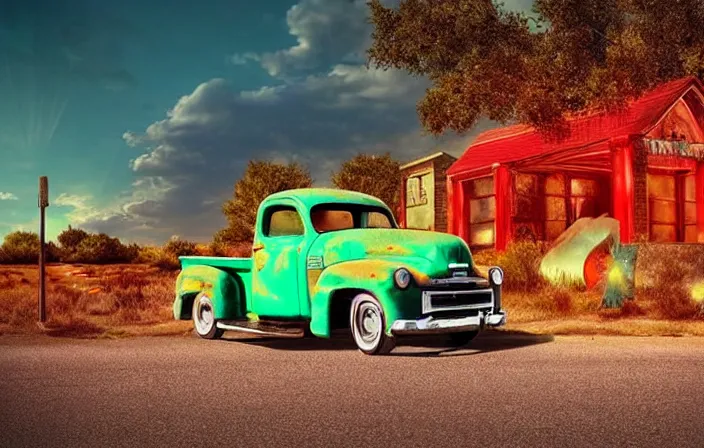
(378, 176)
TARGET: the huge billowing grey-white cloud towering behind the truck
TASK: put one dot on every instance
(192, 158)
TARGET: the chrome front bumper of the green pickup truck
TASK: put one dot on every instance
(431, 325)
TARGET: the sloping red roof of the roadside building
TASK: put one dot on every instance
(520, 142)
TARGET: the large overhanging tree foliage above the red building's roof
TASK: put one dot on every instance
(570, 56)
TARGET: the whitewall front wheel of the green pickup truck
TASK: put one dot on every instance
(367, 323)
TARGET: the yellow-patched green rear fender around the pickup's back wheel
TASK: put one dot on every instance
(224, 289)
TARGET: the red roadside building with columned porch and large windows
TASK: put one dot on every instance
(643, 166)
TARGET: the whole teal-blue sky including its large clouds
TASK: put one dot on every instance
(144, 114)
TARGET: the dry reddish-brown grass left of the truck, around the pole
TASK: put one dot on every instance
(88, 300)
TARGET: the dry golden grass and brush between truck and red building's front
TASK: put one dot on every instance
(665, 275)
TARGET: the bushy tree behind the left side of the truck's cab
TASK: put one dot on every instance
(259, 181)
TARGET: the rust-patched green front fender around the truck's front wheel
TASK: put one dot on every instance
(349, 278)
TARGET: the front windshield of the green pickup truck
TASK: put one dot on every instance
(332, 217)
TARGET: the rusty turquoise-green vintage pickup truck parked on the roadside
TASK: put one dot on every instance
(326, 259)
